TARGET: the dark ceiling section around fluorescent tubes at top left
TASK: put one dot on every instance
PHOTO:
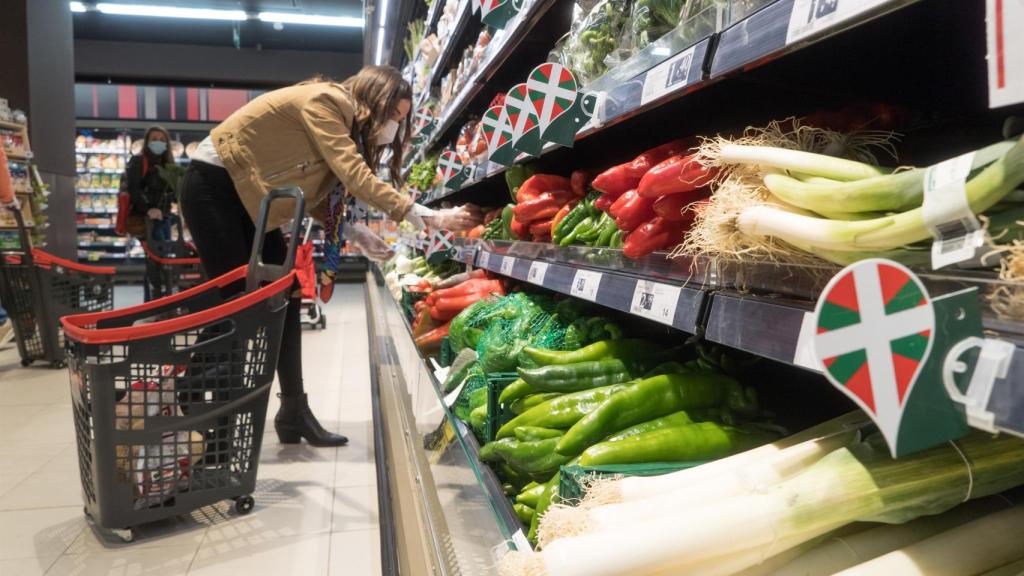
(251, 34)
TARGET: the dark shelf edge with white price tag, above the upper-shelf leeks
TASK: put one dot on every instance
(773, 31)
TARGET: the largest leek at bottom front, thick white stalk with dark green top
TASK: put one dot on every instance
(861, 483)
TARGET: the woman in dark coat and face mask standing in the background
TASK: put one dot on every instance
(150, 198)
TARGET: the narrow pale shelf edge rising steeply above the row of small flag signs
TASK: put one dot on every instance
(516, 32)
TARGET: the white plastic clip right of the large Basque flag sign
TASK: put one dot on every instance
(993, 365)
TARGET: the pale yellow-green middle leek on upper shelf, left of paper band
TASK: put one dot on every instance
(898, 192)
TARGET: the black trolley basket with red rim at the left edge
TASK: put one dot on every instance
(37, 289)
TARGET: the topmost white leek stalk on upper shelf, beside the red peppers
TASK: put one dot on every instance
(797, 161)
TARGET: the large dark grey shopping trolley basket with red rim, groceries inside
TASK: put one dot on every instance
(170, 397)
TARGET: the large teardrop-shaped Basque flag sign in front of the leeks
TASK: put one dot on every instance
(875, 324)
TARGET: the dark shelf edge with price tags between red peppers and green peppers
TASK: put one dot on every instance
(764, 310)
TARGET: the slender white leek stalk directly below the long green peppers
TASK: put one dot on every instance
(637, 488)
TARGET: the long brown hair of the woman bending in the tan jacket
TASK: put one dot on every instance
(376, 91)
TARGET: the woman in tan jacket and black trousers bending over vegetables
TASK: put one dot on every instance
(326, 139)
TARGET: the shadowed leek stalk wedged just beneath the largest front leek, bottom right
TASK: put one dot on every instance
(840, 553)
